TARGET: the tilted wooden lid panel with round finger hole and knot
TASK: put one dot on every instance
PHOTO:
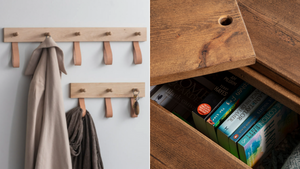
(186, 36)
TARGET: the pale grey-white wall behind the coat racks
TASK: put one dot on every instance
(124, 141)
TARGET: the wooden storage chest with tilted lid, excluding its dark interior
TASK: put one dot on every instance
(179, 46)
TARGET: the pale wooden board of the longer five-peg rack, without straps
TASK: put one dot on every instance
(69, 34)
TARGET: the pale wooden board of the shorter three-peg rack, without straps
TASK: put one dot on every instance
(99, 90)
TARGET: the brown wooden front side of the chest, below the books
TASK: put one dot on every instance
(175, 144)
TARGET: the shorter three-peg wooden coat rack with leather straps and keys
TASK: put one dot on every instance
(107, 91)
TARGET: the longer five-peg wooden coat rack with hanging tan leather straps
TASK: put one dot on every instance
(77, 35)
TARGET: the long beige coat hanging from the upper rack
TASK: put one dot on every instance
(47, 145)
